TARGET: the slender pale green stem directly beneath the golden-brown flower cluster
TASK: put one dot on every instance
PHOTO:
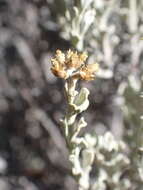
(69, 124)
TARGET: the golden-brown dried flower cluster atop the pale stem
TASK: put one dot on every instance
(72, 64)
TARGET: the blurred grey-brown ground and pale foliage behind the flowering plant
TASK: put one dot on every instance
(33, 155)
